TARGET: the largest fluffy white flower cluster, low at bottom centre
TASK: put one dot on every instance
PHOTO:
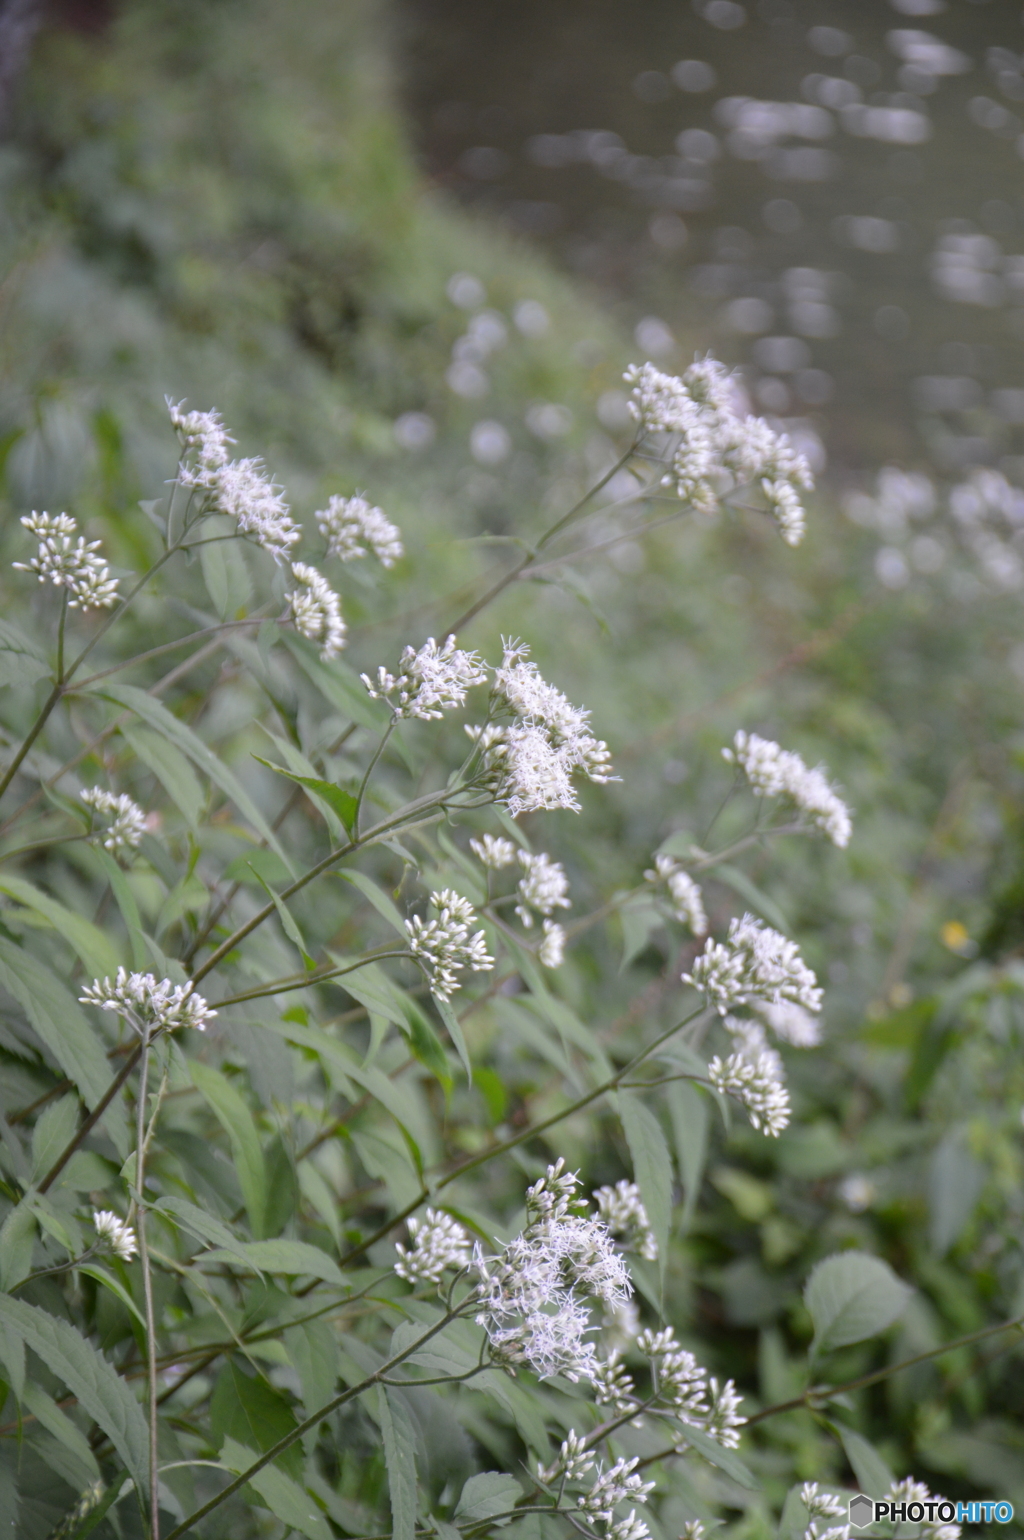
(534, 1296)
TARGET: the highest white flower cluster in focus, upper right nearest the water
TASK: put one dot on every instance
(714, 447)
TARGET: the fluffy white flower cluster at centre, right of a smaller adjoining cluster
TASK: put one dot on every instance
(535, 760)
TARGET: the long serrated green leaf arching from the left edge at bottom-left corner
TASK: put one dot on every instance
(90, 1378)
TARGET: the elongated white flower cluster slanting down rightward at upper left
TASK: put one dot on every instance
(239, 489)
